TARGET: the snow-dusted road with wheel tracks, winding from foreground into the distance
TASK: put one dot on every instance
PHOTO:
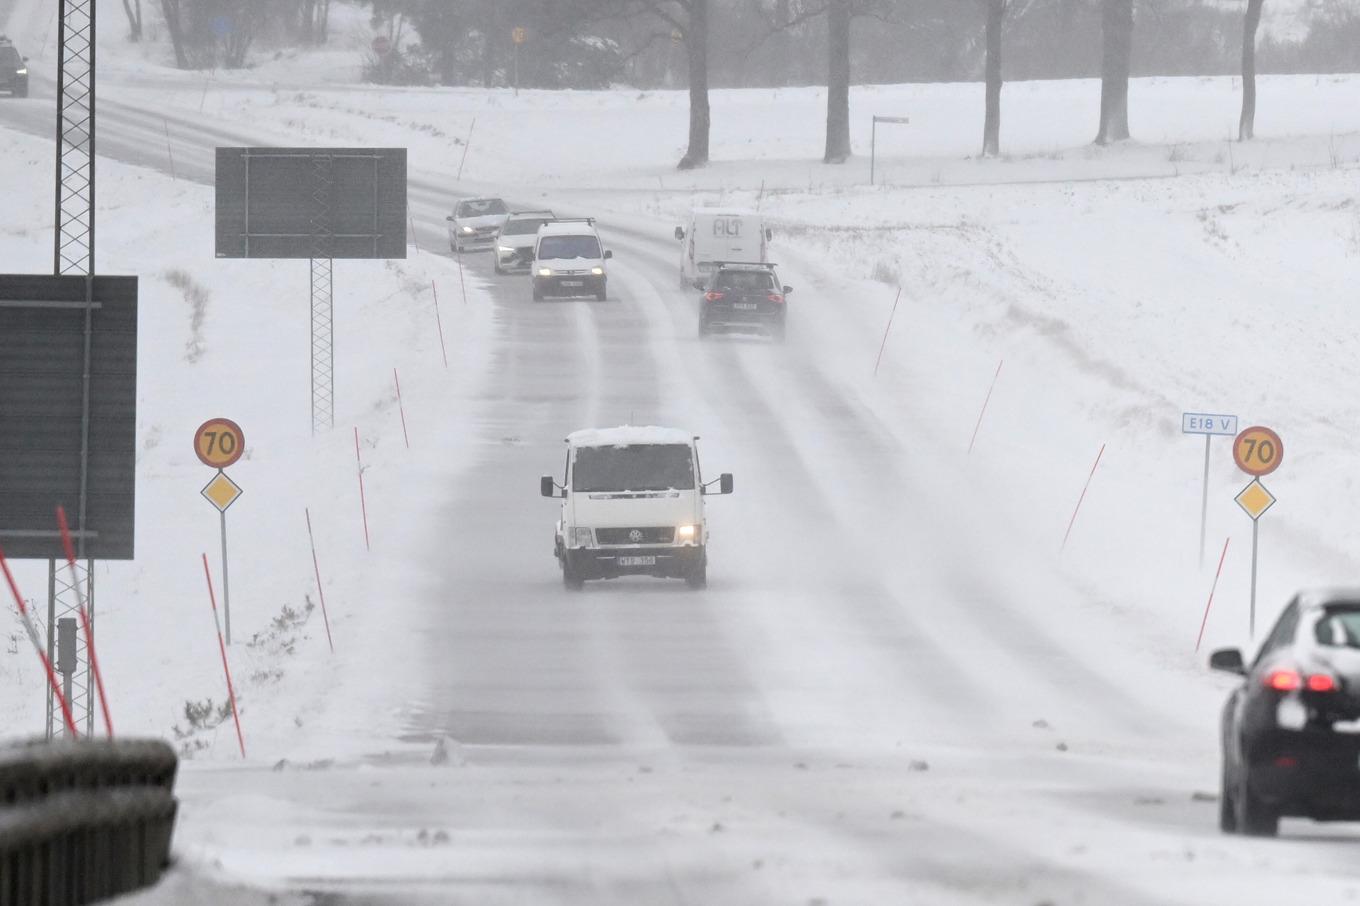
(889, 693)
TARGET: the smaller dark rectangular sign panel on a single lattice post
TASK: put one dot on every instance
(312, 203)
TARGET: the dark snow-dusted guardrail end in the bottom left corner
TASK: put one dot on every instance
(84, 821)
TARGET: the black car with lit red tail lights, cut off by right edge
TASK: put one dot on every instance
(1291, 731)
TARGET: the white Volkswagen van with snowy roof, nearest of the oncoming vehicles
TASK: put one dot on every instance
(633, 505)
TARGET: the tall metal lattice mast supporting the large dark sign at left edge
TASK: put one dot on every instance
(74, 255)
